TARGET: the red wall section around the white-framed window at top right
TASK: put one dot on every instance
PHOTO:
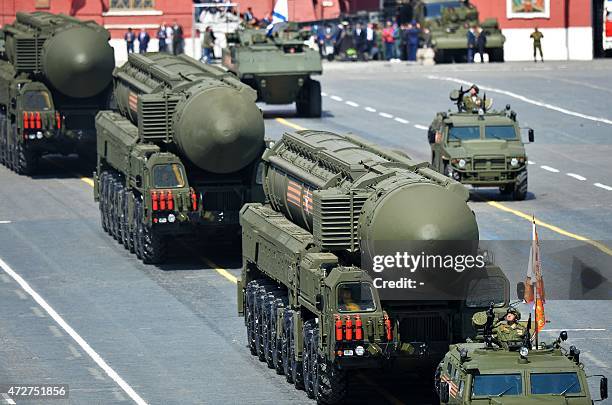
(579, 14)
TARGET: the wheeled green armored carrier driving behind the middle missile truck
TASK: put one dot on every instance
(278, 66)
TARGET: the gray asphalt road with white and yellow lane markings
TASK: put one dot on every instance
(171, 333)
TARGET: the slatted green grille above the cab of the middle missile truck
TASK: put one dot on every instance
(155, 118)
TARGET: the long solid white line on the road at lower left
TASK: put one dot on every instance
(77, 338)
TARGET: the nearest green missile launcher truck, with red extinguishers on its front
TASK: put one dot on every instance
(329, 196)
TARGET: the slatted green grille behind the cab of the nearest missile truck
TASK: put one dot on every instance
(336, 219)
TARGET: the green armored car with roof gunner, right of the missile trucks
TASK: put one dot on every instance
(479, 146)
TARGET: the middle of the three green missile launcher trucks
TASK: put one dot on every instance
(180, 156)
